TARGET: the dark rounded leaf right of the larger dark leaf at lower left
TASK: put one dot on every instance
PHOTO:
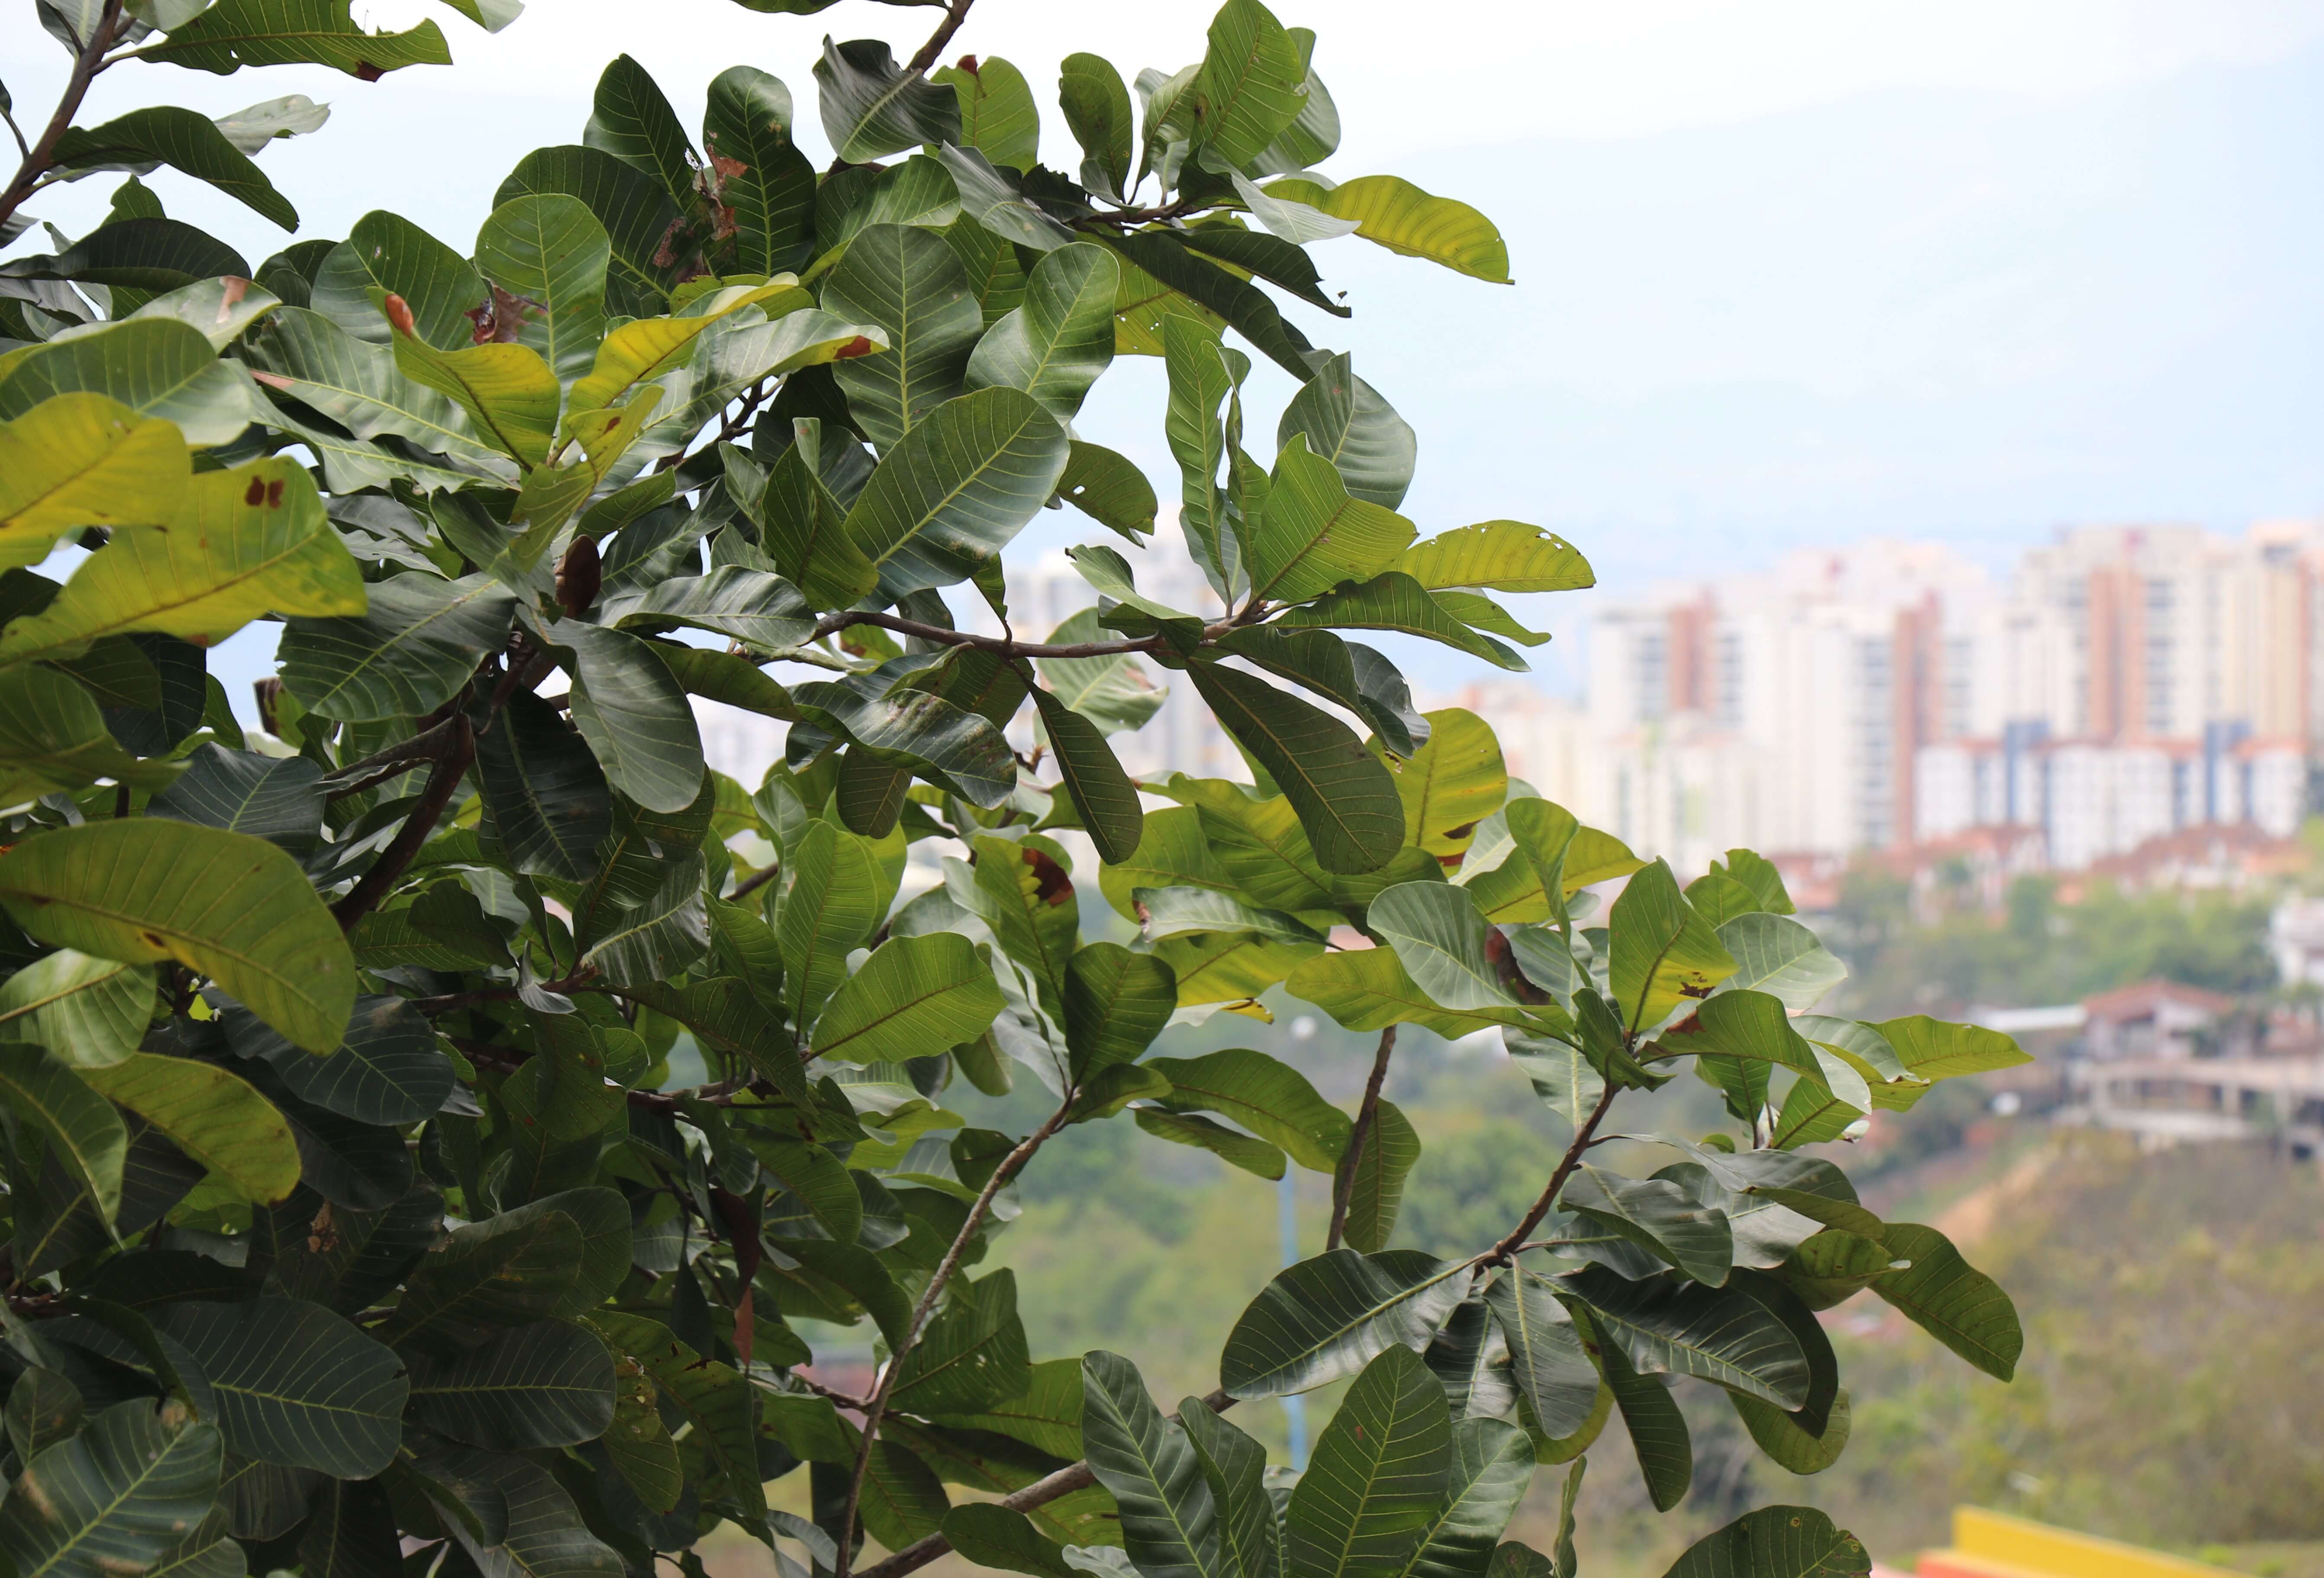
(547, 1384)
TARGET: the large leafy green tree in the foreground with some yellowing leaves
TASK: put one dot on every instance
(352, 1200)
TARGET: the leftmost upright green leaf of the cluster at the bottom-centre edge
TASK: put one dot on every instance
(1170, 1521)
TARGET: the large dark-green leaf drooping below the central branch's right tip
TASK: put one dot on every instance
(1344, 796)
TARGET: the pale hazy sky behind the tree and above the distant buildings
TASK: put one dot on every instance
(1786, 271)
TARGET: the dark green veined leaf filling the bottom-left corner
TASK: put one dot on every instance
(113, 1498)
